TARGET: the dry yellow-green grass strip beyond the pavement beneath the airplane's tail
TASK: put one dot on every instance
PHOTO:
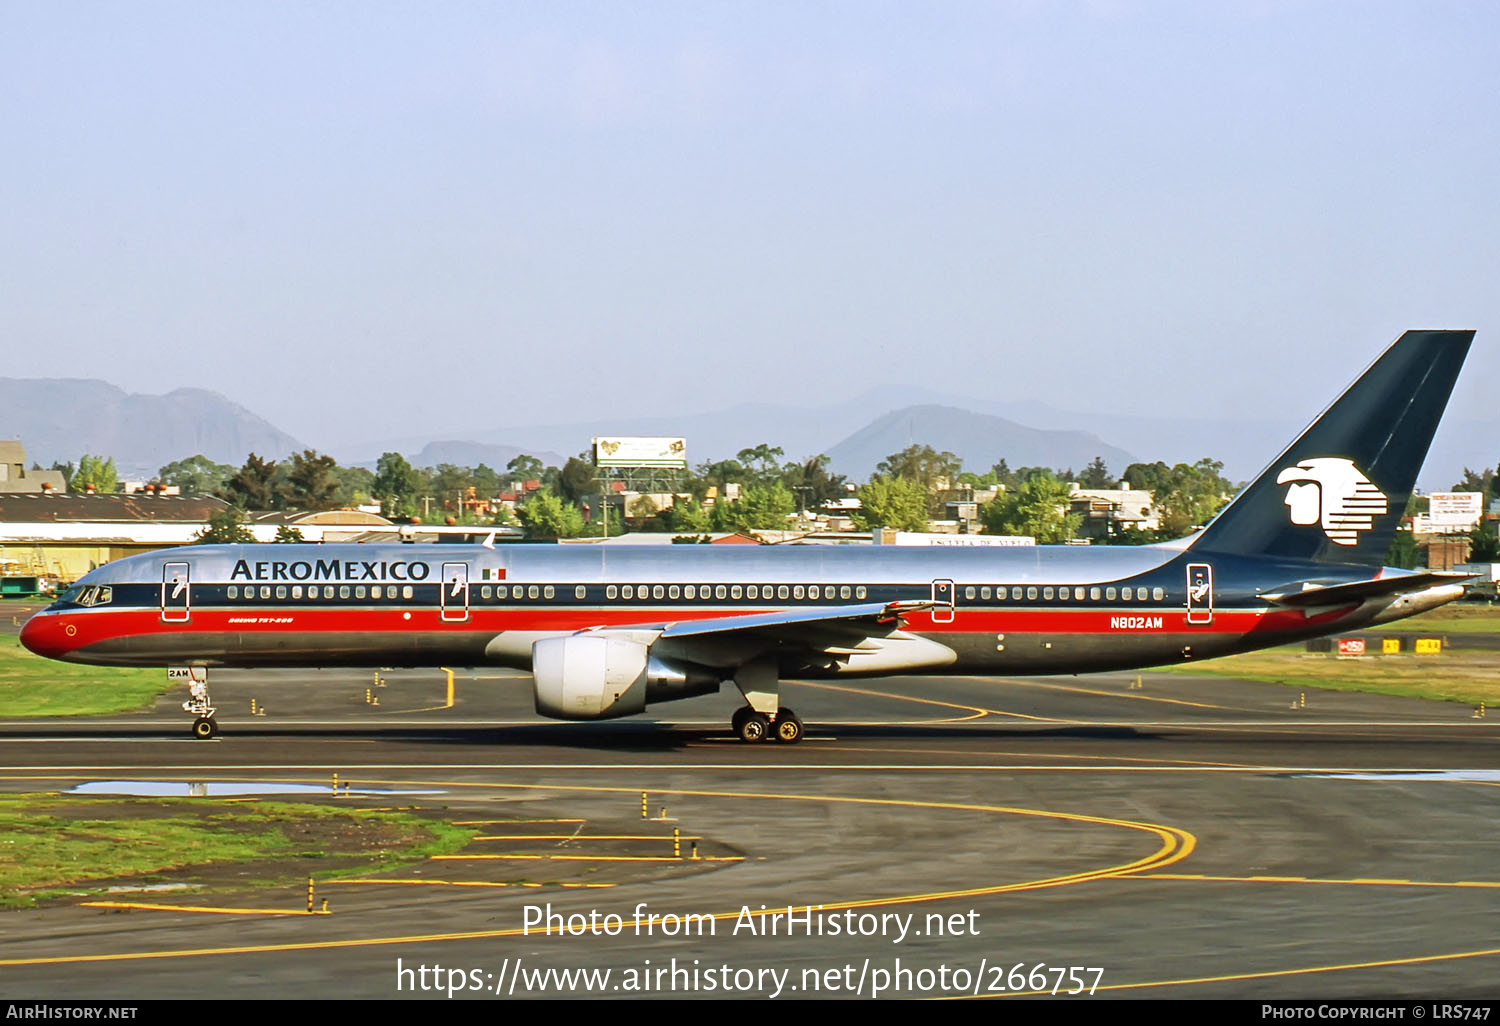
(1451, 677)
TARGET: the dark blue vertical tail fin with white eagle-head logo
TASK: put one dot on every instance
(1339, 491)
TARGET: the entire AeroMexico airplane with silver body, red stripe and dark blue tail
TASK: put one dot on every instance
(607, 632)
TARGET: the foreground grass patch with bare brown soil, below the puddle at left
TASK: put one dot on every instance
(52, 845)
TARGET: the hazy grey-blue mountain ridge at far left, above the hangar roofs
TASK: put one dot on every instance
(59, 419)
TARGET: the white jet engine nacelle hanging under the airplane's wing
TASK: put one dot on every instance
(598, 677)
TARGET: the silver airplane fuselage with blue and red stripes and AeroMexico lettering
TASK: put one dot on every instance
(998, 611)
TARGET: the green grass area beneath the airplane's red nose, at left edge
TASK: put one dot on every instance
(35, 686)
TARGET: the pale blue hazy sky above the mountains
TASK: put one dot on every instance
(374, 220)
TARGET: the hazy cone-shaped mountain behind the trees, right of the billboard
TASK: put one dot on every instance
(979, 440)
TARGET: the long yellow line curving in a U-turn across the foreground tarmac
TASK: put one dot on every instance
(1175, 845)
